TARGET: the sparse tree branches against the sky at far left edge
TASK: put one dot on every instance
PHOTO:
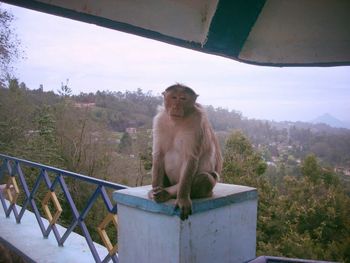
(9, 45)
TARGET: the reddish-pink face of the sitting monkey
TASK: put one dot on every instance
(178, 103)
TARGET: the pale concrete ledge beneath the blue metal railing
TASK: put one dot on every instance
(26, 239)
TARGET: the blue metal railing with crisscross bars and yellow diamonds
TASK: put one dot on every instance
(12, 167)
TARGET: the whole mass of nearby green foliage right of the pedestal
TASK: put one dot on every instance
(305, 217)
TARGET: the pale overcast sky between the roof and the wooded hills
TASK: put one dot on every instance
(95, 58)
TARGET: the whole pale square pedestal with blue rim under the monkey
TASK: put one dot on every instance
(221, 228)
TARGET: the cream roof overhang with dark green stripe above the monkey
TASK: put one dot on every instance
(262, 32)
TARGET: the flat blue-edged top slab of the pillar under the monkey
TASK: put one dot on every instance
(223, 194)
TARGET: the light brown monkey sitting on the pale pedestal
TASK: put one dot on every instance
(186, 156)
